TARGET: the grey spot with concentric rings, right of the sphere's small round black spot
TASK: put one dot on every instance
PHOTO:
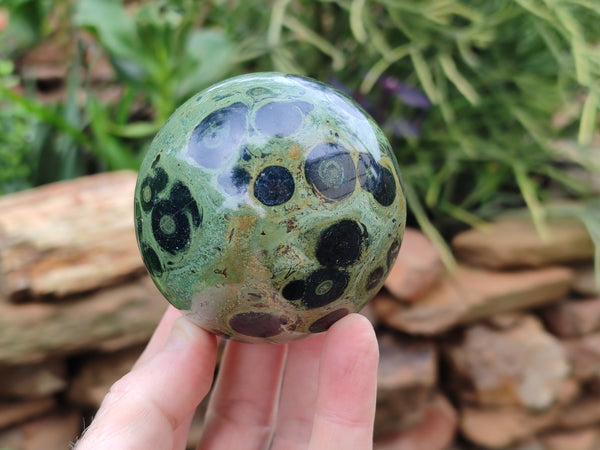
(330, 171)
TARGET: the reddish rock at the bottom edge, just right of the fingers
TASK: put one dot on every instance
(435, 431)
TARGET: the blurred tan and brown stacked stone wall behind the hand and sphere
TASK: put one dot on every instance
(504, 352)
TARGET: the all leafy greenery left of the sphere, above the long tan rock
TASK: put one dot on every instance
(161, 55)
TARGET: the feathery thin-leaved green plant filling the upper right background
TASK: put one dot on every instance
(495, 74)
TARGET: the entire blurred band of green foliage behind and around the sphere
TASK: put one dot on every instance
(489, 105)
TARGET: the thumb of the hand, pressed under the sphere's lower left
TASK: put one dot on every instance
(145, 407)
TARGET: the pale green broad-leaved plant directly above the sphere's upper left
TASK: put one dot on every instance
(160, 50)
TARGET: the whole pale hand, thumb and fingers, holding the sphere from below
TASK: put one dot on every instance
(318, 393)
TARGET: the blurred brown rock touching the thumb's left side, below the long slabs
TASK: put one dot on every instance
(97, 373)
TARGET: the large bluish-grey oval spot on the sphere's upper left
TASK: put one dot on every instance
(218, 135)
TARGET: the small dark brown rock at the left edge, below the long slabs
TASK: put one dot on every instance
(33, 380)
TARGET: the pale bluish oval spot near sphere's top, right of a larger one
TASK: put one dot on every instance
(279, 119)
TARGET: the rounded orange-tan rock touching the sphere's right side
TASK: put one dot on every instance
(417, 268)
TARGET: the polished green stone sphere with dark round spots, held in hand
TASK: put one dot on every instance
(268, 207)
